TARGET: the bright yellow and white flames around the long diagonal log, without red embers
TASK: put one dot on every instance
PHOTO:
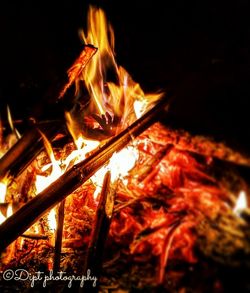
(112, 98)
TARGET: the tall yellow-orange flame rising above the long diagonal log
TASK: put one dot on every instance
(115, 96)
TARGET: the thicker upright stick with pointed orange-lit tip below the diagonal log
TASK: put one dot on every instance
(93, 262)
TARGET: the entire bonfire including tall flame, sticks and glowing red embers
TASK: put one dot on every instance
(176, 212)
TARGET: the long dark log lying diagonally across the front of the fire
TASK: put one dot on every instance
(20, 221)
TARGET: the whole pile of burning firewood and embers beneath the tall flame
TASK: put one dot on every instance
(172, 220)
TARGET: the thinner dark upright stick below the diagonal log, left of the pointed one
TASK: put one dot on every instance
(58, 239)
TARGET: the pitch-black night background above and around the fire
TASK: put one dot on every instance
(197, 49)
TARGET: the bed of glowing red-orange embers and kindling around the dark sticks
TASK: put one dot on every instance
(173, 213)
